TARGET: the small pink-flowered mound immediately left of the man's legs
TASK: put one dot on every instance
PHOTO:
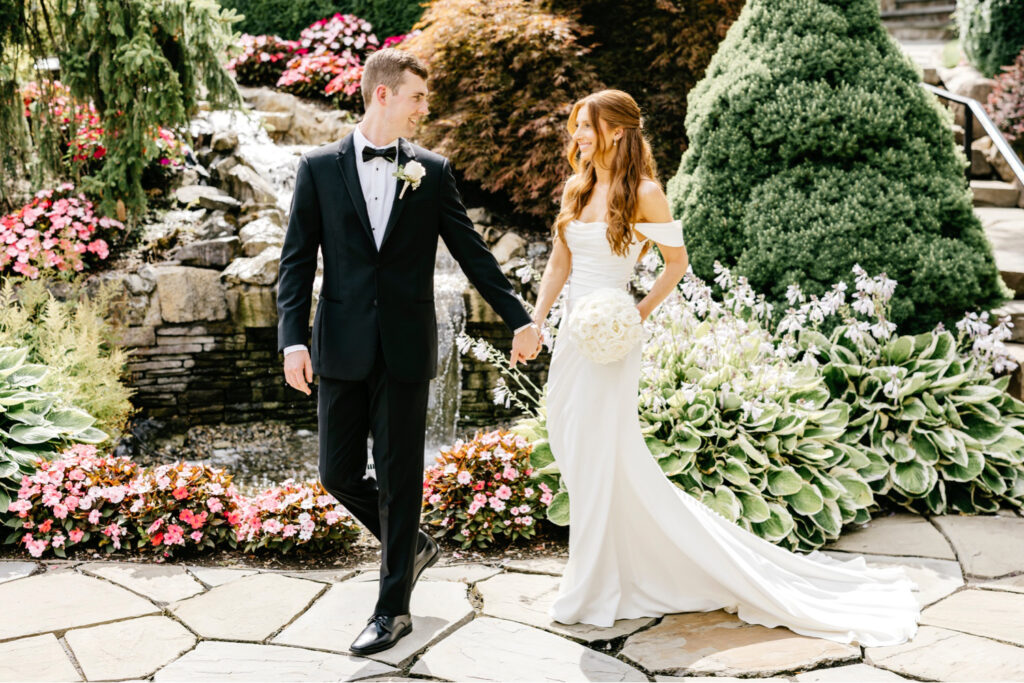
(293, 516)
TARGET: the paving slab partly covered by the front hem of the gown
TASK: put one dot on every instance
(527, 599)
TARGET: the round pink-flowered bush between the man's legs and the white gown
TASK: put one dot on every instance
(482, 491)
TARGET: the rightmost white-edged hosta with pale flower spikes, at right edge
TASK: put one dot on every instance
(929, 405)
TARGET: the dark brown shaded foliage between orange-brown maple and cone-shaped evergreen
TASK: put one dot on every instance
(656, 52)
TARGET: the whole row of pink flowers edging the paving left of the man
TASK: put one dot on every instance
(84, 499)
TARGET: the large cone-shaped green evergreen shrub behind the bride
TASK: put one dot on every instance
(814, 149)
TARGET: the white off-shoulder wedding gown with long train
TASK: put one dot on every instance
(641, 546)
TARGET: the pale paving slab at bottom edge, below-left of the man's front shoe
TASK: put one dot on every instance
(245, 662)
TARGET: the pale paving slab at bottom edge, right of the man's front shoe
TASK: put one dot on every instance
(491, 650)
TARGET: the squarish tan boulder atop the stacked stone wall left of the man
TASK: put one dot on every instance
(189, 294)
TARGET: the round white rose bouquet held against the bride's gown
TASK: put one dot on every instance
(606, 325)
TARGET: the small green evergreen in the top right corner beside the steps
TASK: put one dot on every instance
(992, 32)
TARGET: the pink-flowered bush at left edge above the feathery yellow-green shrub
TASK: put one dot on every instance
(58, 231)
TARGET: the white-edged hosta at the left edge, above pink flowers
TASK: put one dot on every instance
(34, 424)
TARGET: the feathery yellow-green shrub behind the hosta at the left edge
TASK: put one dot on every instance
(73, 340)
